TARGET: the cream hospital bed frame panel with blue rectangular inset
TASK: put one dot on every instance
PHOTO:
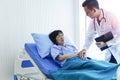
(27, 72)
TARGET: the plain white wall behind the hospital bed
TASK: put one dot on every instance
(19, 18)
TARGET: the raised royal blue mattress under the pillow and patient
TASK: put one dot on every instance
(44, 64)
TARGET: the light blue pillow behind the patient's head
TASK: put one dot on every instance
(43, 44)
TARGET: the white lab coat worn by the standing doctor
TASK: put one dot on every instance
(110, 23)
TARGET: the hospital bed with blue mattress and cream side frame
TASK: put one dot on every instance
(30, 66)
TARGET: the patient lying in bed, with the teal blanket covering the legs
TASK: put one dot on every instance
(75, 68)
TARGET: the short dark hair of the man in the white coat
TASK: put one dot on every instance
(91, 4)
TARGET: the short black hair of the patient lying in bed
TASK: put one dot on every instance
(53, 36)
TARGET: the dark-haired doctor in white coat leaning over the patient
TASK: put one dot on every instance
(102, 22)
